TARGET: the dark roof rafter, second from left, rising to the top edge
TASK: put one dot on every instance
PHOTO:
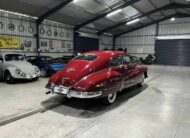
(104, 14)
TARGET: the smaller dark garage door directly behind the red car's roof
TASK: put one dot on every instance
(86, 44)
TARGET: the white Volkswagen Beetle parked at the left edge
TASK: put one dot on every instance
(15, 66)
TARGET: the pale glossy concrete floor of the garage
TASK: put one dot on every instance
(161, 109)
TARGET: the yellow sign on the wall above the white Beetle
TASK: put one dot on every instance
(9, 42)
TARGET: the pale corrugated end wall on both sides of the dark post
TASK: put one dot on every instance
(142, 42)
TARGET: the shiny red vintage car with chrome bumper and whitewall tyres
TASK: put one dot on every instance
(97, 74)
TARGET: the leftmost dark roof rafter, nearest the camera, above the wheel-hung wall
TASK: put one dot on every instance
(52, 11)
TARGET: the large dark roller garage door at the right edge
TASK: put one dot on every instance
(173, 52)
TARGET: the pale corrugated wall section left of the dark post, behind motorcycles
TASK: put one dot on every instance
(138, 43)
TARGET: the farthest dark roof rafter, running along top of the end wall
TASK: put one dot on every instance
(157, 21)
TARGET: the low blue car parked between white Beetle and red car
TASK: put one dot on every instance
(48, 65)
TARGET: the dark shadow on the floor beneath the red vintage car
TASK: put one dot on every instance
(88, 108)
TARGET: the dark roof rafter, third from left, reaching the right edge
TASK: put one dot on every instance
(166, 7)
